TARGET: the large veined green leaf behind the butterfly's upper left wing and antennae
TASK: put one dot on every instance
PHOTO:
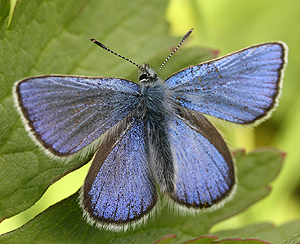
(47, 37)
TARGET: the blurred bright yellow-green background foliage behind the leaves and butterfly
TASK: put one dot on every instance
(229, 26)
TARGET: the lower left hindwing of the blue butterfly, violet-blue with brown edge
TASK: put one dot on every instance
(119, 187)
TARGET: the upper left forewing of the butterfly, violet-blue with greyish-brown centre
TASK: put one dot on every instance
(66, 113)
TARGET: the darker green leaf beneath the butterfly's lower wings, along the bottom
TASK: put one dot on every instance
(63, 222)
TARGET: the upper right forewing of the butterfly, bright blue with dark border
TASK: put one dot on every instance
(240, 87)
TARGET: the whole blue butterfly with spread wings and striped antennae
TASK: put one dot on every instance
(153, 134)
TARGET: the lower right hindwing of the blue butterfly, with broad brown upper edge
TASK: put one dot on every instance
(204, 167)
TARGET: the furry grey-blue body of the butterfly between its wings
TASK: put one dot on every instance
(157, 141)
